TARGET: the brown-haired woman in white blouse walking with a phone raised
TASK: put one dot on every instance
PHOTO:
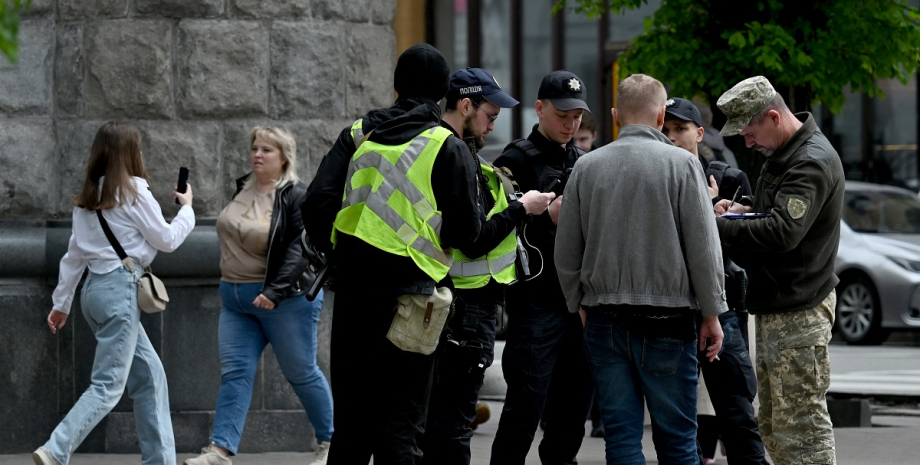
(116, 184)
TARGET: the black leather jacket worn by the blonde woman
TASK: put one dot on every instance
(286, 273)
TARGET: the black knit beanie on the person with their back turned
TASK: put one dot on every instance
(422, 71)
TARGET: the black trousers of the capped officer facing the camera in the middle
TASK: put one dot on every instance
(544, 347)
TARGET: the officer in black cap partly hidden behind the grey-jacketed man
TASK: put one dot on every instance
(730, 380)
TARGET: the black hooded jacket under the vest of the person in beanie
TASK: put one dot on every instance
(361, 267)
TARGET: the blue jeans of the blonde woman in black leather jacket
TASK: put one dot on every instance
(244, 332)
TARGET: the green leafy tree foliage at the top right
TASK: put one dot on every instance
(811, 50)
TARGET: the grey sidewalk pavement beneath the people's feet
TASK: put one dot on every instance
(892, 440)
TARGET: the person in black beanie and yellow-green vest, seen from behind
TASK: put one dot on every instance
(391, 237)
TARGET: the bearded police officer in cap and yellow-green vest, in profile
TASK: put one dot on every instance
(480, 273)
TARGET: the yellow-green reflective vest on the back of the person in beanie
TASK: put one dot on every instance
(391, 177)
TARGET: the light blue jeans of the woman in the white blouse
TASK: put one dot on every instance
(124, 359)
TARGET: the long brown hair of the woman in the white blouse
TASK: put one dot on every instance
(116, 154)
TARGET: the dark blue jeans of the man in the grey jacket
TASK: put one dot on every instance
(628, 368)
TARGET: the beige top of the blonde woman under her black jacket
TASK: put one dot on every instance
(243, 230)
